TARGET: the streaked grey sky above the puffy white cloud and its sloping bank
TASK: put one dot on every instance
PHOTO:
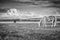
(33, 6)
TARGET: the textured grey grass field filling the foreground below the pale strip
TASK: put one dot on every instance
(27, 31)
